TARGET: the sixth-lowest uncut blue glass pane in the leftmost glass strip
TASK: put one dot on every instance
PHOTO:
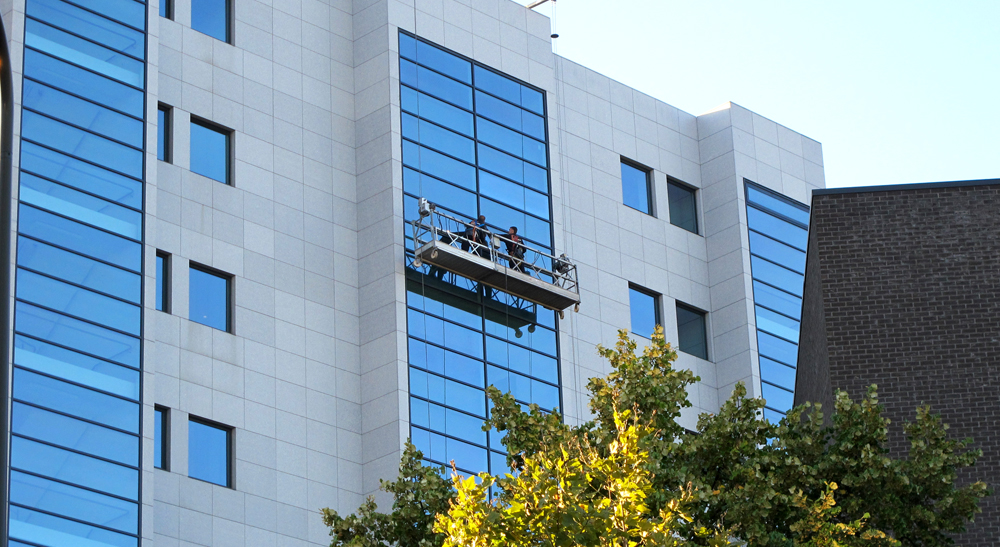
(77, 334)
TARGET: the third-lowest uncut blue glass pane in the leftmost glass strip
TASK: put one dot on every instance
(75, 434)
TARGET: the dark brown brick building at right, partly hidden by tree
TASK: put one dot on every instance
(903, 290)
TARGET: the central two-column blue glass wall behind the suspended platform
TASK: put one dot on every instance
(474, 143)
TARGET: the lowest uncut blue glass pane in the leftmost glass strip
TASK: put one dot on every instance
(73, 502)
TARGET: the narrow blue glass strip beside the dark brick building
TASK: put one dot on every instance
(778, 228)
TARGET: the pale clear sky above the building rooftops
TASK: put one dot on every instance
(898, 91)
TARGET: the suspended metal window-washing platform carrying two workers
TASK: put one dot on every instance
(476, 253)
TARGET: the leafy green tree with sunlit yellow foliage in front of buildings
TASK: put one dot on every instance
(632, 476)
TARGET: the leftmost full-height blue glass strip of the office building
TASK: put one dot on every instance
(75, 434)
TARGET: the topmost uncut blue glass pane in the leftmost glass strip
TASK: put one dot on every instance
(83, 53)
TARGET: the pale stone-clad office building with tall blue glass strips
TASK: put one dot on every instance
(217, 323)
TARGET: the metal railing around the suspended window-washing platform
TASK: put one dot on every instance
(433, 225)
